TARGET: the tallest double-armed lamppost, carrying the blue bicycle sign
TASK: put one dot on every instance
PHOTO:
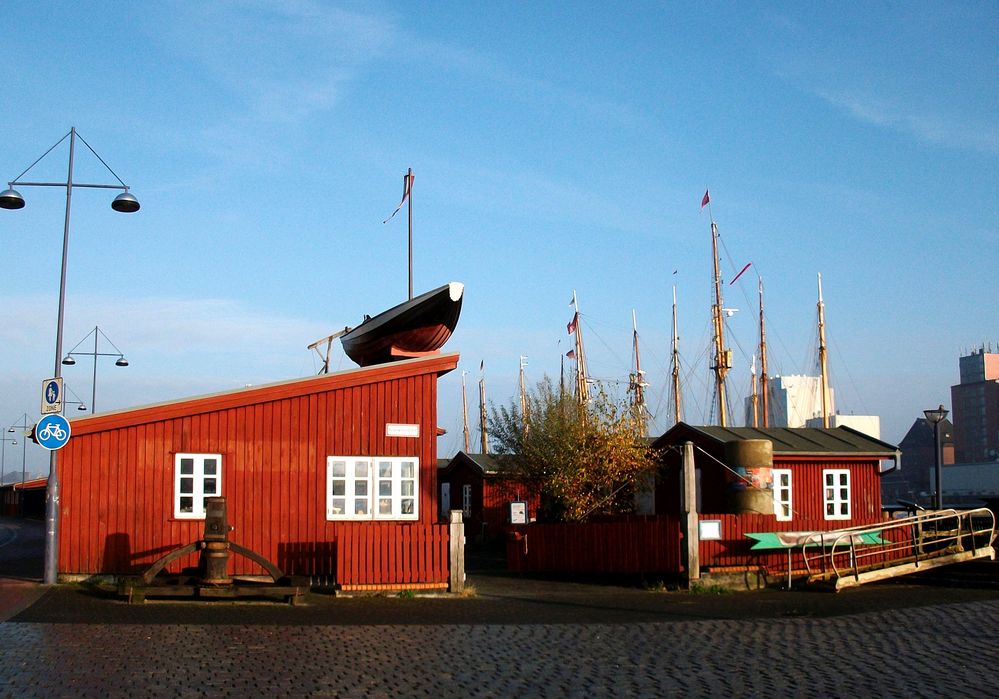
(12, 199)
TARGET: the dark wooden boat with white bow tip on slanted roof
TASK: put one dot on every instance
(414, 328)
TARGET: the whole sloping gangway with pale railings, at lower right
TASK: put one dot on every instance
(857, 555)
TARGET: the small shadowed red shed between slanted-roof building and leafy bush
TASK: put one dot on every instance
(482, 486)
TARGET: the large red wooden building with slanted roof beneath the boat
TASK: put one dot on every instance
(330, 476)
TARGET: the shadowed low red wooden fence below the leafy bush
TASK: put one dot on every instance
(634, 545)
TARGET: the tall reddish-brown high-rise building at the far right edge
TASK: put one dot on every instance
(975, 407)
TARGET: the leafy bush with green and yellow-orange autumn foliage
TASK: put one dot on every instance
(583, 459)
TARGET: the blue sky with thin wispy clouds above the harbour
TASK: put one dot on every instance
(556, 146)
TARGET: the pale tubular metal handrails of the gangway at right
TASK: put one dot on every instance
(843, 542)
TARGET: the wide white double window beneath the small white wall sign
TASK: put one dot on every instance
(372, 487)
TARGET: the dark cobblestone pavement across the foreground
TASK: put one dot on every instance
(946, 650)
